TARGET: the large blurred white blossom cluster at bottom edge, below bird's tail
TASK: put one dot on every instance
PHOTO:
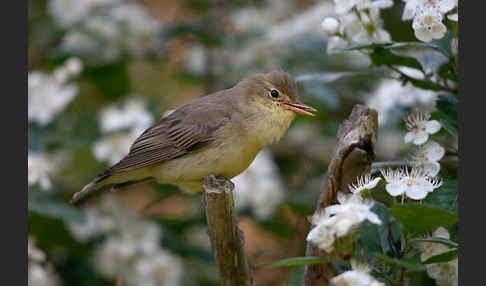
(132, 249)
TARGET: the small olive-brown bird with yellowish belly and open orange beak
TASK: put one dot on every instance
(218, 134)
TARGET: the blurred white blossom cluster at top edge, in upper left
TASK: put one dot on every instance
(106, 29)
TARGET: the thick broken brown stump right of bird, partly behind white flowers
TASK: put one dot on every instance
(354, 153)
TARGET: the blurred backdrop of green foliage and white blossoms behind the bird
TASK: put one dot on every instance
(101, 71)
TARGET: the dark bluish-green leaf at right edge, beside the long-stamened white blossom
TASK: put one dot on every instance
(445, 196)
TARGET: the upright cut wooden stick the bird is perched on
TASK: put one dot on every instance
(226, 242)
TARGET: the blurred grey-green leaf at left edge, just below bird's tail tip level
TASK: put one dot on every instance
(46, 205)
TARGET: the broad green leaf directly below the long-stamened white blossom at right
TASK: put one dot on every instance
(417, 218)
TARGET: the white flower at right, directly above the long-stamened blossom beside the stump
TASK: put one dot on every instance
(427, 157)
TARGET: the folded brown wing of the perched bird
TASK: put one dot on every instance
(174, 136)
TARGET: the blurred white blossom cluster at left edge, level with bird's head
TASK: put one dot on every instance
(49, 94)
